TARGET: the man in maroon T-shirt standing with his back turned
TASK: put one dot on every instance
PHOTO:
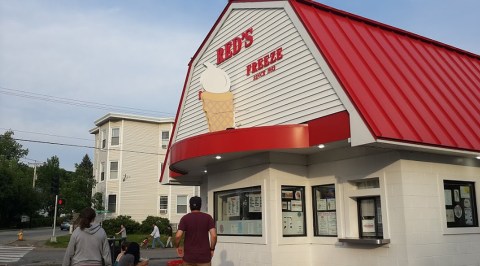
(198, 226)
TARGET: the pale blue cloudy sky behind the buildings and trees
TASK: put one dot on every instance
(65, 64)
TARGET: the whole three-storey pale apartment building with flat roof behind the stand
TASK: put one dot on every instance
(129, 153)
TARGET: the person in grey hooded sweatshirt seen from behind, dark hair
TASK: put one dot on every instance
(88, 244)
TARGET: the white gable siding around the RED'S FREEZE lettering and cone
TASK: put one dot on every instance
(296, 92)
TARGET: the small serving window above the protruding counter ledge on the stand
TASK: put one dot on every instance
(370, 217)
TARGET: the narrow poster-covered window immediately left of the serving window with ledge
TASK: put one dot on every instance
(325, 210)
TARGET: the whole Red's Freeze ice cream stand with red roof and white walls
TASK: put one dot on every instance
(319, 137)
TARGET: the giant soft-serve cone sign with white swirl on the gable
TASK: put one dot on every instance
(217, 99)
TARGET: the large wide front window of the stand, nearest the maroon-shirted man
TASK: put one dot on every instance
(239, 211)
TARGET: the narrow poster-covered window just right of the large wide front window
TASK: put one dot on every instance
(293, 211)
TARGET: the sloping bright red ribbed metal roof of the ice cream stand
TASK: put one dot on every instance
(406, 87)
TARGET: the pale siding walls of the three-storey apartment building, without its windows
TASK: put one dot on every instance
(139, 155)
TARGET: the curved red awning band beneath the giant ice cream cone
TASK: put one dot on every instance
(323, 130)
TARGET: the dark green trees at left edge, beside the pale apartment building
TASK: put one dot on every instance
(18, 197)
